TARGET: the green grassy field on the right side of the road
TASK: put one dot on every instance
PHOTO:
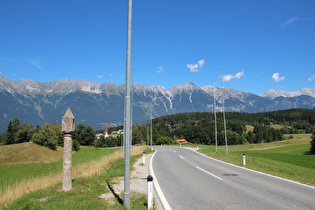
(286, 158)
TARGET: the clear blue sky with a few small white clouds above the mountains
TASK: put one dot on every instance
(257, 44)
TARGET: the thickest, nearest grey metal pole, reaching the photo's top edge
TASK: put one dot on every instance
(127, 143)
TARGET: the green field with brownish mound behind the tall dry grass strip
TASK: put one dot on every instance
(36, 161)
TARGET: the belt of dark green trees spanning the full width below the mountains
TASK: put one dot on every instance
(197, 128)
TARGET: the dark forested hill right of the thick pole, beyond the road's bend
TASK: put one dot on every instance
(200, 127)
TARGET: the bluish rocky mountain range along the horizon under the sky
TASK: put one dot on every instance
(96, 103)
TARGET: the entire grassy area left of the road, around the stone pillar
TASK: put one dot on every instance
(86, 187)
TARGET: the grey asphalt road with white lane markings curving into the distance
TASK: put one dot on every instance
(189, 180)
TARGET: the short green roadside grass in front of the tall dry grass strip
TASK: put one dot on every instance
(85, 193)
